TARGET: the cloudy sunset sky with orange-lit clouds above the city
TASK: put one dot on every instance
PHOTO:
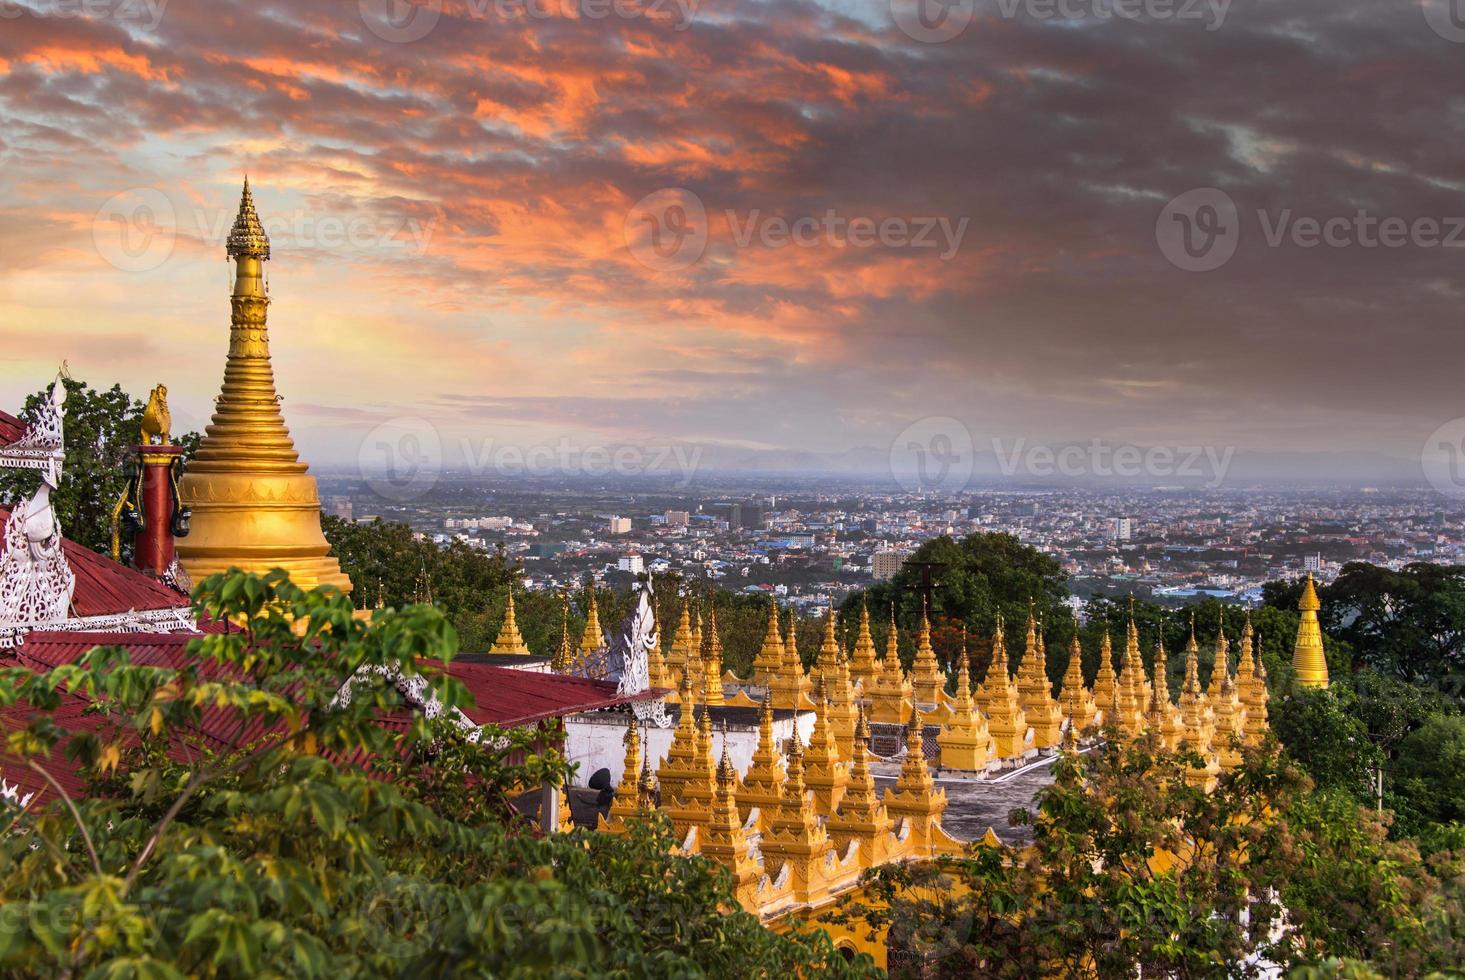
(461, 235)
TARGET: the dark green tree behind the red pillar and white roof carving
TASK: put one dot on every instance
(102, 426)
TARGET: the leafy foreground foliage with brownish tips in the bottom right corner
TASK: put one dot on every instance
(1135, 869)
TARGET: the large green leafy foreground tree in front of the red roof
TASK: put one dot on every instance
(231, 828)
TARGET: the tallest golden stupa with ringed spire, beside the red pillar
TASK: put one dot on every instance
(256, 506)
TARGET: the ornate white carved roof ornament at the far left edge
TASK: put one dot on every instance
(36, 579)
